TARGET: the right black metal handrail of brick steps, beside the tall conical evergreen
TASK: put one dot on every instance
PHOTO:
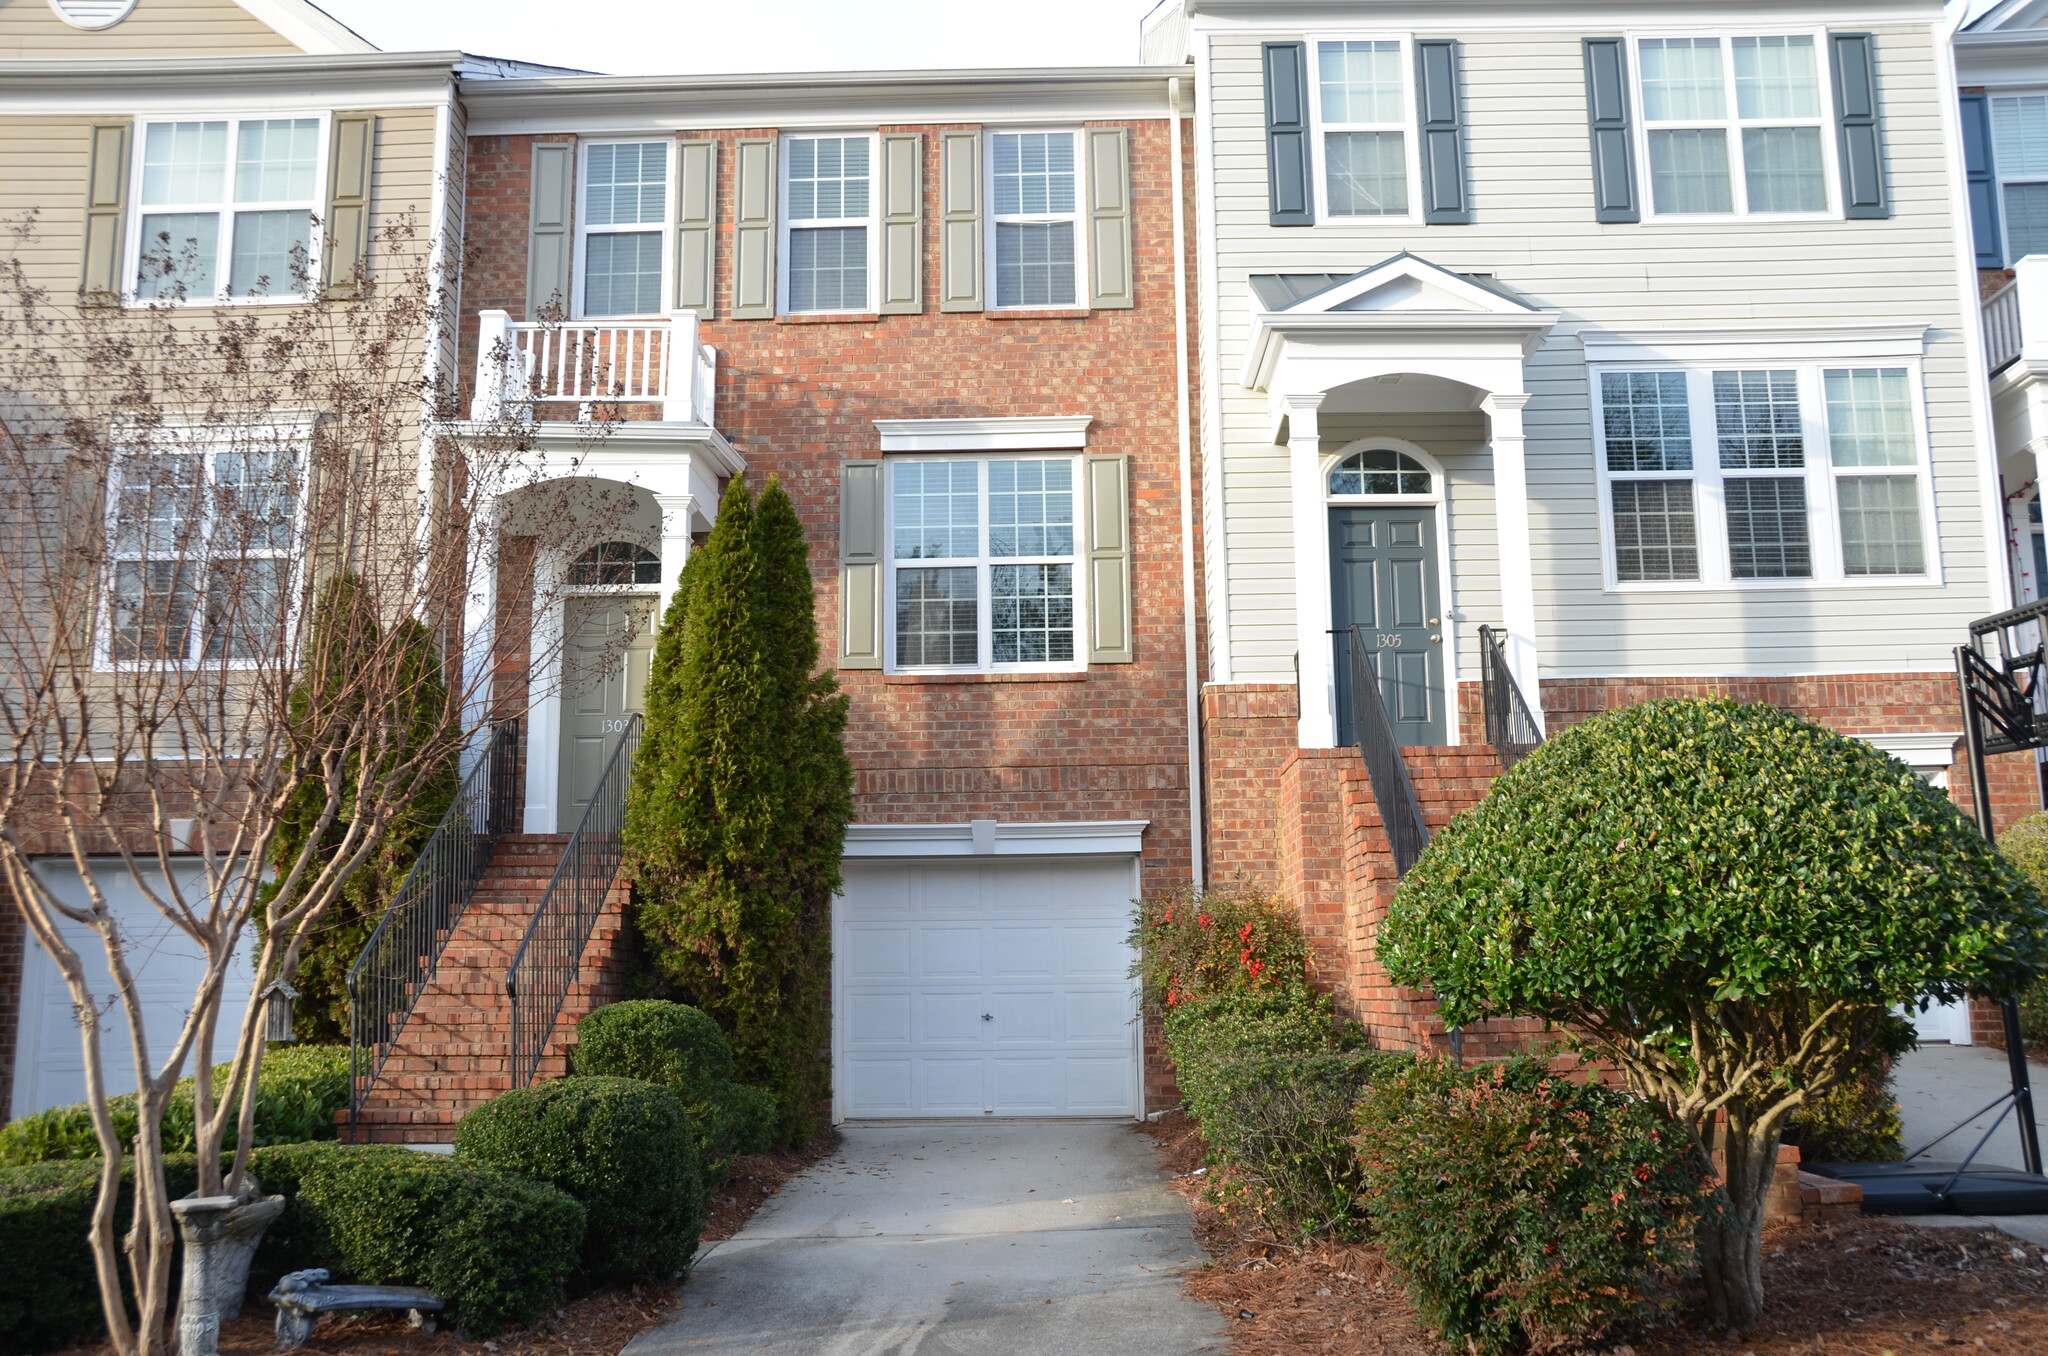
(552, 954)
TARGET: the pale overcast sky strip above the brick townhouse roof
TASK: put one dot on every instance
(648, 38)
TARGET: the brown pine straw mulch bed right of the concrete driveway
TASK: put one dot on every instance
(1865, 1287)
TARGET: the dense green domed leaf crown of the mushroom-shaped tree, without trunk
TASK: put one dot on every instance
(1707, 851)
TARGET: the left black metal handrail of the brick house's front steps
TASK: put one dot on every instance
(400, 960)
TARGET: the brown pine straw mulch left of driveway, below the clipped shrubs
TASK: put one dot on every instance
(591, 1326)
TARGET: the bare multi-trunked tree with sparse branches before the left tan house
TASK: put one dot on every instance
(237, 556)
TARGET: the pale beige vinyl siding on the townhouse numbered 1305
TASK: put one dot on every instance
(1533, 228)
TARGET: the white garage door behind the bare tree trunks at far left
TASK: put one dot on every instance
(50, 1066)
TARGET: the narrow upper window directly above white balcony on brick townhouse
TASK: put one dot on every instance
(624, 228)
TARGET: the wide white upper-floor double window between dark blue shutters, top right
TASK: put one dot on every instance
(1736, 124)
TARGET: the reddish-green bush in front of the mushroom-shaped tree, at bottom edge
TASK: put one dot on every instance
(1523, 1207)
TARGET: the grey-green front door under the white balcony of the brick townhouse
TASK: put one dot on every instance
(603, 683)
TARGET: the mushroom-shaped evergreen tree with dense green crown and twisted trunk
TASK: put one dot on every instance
(1725, 902)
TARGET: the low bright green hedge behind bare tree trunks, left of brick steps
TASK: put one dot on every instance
(298, 1093)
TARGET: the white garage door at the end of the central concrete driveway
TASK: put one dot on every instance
(986, 990)
